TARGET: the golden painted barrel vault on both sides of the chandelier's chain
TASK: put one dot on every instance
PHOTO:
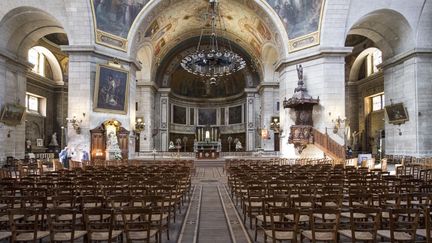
(184, 19)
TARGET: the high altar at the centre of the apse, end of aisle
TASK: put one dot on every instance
(207, 143)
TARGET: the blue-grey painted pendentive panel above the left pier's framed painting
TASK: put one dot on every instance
(113, 20)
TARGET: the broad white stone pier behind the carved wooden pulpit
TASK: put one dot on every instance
(324, 76)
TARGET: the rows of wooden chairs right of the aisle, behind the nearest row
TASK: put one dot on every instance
(258, 187)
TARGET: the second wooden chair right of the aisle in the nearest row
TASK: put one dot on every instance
(323, 228)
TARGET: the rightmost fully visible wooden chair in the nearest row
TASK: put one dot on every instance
(404, 220)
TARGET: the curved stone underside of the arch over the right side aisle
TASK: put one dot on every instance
(388, 29)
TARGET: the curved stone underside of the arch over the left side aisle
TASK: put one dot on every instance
(22, 27)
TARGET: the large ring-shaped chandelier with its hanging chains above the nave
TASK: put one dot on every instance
(214, 61)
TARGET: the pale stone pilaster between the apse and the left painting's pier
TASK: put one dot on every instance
(146, 104)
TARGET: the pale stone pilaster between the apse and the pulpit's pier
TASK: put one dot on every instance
(269, 94)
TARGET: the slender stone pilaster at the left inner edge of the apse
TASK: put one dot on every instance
(164, 118)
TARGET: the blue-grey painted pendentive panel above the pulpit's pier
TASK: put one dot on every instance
(302, 20)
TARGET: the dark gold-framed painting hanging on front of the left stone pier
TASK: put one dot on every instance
(111, 90)
